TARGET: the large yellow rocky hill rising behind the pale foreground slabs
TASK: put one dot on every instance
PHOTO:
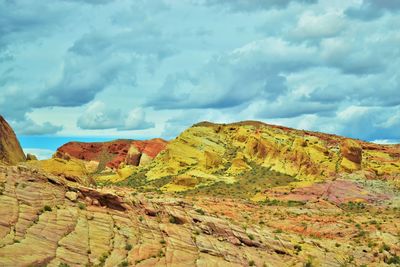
(207, 153)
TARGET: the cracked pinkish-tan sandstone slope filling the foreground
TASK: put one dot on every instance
(48, 220)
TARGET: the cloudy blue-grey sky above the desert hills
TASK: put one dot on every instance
(94, 70)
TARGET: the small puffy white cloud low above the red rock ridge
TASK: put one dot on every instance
(99, 116)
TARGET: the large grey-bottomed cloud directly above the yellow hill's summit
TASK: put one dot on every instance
(255, 70)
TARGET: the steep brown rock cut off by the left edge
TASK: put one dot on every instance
(10, 149)
